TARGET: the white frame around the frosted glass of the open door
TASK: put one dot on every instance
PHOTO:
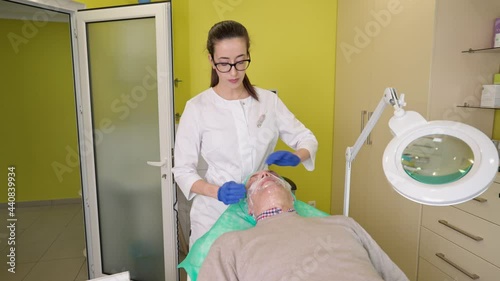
(161, 12)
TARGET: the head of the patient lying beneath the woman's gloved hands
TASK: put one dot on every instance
(266, 190)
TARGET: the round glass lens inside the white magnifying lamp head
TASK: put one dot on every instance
(437, 159)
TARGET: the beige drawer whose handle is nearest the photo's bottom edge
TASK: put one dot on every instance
(432, 244)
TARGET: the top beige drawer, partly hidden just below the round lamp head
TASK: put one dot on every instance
(489, 209)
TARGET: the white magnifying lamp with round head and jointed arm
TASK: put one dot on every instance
(436, 163)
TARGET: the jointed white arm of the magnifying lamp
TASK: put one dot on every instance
(389, 98)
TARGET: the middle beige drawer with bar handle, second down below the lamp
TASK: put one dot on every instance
(489, 245)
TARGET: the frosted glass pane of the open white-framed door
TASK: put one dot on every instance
(128, 190)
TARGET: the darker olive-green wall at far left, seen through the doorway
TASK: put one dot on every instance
(37, 110)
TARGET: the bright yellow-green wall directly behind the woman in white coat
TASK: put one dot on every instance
(293, 51)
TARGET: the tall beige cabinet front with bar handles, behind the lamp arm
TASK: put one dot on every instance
(385, 53)
